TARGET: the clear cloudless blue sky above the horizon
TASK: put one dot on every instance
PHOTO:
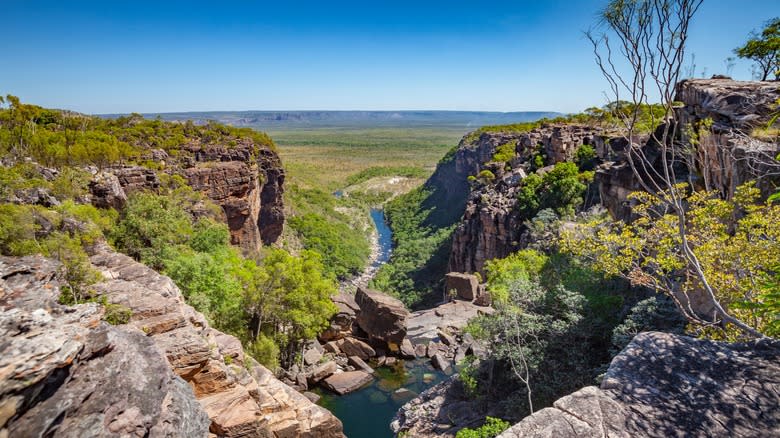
(158, 56)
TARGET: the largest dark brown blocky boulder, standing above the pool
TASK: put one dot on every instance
(382, 317)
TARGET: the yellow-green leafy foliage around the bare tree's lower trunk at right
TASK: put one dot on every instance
(736, 242)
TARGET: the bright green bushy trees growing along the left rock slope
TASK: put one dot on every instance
(272, 304)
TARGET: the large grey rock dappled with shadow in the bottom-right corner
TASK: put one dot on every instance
(665, 385)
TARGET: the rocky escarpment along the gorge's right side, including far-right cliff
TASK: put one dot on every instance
(717, 117)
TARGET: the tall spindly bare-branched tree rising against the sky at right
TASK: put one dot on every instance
(641, 54)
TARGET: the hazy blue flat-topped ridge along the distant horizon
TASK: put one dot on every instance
(354, 119)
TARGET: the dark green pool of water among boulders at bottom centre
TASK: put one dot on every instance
(367, 413)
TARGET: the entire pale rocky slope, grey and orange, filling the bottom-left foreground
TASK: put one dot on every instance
(65, 371)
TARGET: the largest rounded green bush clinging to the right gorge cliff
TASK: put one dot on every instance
(560, 189)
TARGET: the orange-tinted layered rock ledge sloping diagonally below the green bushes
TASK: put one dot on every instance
(240, 396)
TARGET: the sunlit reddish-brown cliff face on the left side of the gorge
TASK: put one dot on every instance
(245, 179)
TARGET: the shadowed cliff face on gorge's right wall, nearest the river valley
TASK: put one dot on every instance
(491, 226)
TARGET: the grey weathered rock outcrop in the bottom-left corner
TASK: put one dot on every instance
(67, 373)
